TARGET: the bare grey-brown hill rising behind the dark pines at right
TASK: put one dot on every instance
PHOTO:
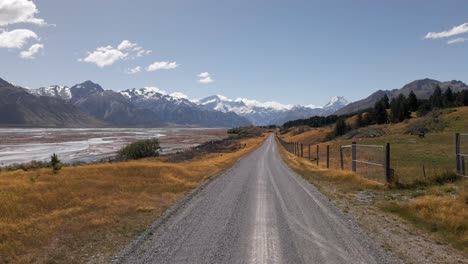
(422, 88)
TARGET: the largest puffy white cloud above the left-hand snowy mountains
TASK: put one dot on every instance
(108, 55)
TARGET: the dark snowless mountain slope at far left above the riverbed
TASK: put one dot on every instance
(21, 109)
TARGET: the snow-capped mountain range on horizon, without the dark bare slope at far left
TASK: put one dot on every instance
(151, 106)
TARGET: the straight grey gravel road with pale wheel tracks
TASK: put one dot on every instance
(259, 211)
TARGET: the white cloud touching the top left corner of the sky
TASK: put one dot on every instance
(19, 11)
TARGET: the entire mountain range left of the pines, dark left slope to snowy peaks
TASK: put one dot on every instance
(147, 107)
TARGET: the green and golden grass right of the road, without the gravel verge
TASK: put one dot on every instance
(428, 193)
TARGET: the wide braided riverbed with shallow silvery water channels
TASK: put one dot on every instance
(73, 145)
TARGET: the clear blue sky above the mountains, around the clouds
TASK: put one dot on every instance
(294, 52)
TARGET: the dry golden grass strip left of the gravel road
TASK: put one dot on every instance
(93, 210)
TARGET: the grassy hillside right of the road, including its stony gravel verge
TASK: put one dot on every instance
(427, 193)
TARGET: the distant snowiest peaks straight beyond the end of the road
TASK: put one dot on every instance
(266, 113)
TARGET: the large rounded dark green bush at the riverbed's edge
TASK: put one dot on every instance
(145, 148)
